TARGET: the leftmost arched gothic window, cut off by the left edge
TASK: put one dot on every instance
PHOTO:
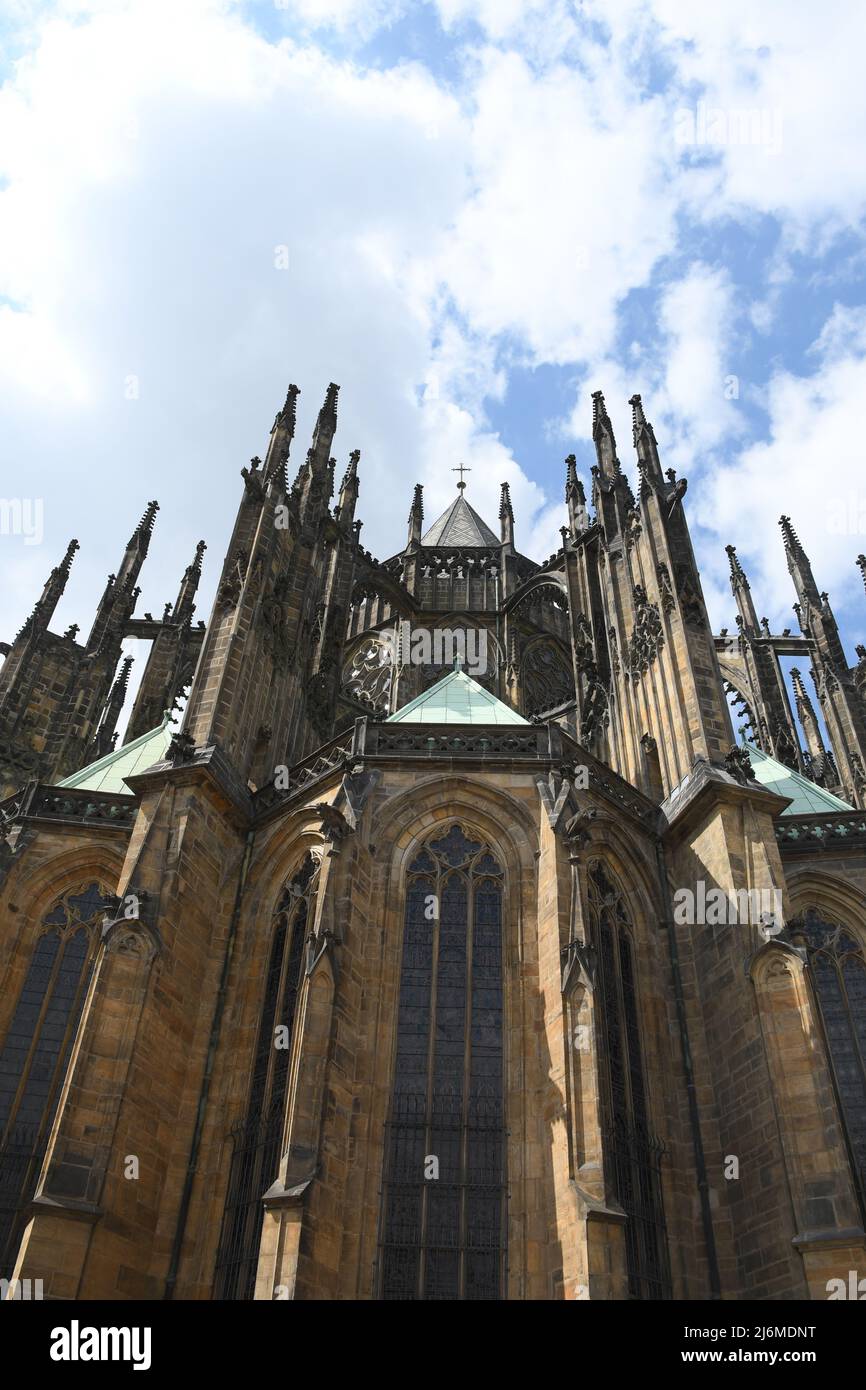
(38, 1043)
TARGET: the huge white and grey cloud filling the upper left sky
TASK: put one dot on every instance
(159, 165)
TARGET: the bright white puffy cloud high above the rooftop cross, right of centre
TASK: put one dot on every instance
(572, 208)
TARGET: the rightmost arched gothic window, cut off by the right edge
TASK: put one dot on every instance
(839, 979)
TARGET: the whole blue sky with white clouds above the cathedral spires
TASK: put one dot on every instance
(471, 215)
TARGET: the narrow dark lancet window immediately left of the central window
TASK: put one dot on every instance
(258, 1138)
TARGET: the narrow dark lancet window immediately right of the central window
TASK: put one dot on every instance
(633, 1154)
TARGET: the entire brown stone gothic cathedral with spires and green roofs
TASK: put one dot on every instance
(452, 946)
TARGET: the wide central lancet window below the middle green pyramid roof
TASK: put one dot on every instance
(444, 1203)
